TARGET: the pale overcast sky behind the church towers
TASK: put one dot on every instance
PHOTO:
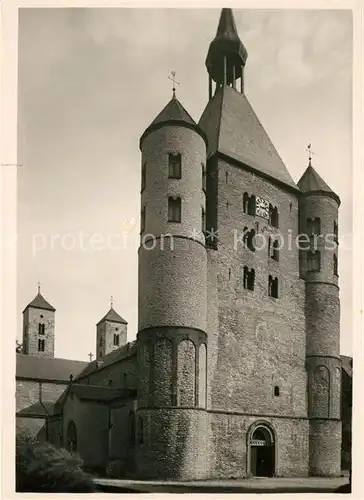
(90, 82)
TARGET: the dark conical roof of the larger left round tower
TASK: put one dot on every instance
(172, 114)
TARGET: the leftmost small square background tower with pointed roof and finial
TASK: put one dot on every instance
(39, 327)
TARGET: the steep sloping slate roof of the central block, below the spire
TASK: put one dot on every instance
(233, 128)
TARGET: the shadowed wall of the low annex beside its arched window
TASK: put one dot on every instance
(92, 424)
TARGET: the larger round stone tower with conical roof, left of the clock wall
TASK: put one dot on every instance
(172, 355)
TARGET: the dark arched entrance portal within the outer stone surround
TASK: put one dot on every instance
(262, 452)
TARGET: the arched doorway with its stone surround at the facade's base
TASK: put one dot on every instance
(261, 450)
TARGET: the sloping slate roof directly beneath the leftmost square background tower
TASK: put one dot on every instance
(55, 369)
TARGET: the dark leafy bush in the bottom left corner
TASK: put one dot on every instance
(40, 468)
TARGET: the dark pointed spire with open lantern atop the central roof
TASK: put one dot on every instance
(227, 55)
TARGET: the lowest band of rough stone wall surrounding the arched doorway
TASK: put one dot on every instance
(230, 448)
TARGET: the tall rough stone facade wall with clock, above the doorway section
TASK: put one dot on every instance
(260, 341)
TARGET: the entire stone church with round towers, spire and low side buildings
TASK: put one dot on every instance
(236, 370)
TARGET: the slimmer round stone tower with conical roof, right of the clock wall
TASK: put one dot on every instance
(319, 267)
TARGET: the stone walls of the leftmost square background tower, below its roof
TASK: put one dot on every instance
(31, 319)
